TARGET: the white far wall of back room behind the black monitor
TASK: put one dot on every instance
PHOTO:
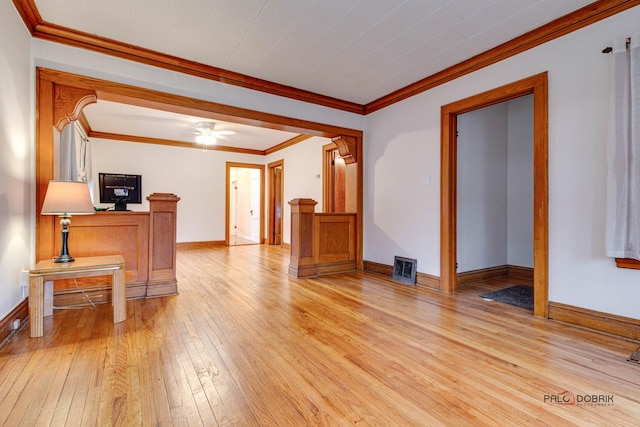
(197, 177)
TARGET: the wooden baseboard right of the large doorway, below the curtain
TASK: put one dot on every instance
(610, 323)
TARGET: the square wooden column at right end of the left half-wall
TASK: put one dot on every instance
(162, 244)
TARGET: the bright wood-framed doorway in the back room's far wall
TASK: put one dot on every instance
(245, 204)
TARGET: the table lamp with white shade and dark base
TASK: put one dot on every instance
(64, 198)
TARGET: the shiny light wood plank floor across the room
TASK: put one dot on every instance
(244, 344)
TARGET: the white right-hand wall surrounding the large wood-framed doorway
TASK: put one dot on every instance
(402, 168)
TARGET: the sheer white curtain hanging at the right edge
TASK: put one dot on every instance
(623, 145)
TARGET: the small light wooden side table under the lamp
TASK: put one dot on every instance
(41, 279)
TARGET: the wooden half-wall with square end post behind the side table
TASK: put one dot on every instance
(146, 240)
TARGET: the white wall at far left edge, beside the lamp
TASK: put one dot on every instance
(17, 158)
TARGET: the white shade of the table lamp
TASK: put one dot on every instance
(67, 197)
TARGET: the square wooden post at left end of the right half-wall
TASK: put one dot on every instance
(301, 263)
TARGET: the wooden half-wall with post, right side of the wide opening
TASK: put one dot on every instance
(321, 243)
